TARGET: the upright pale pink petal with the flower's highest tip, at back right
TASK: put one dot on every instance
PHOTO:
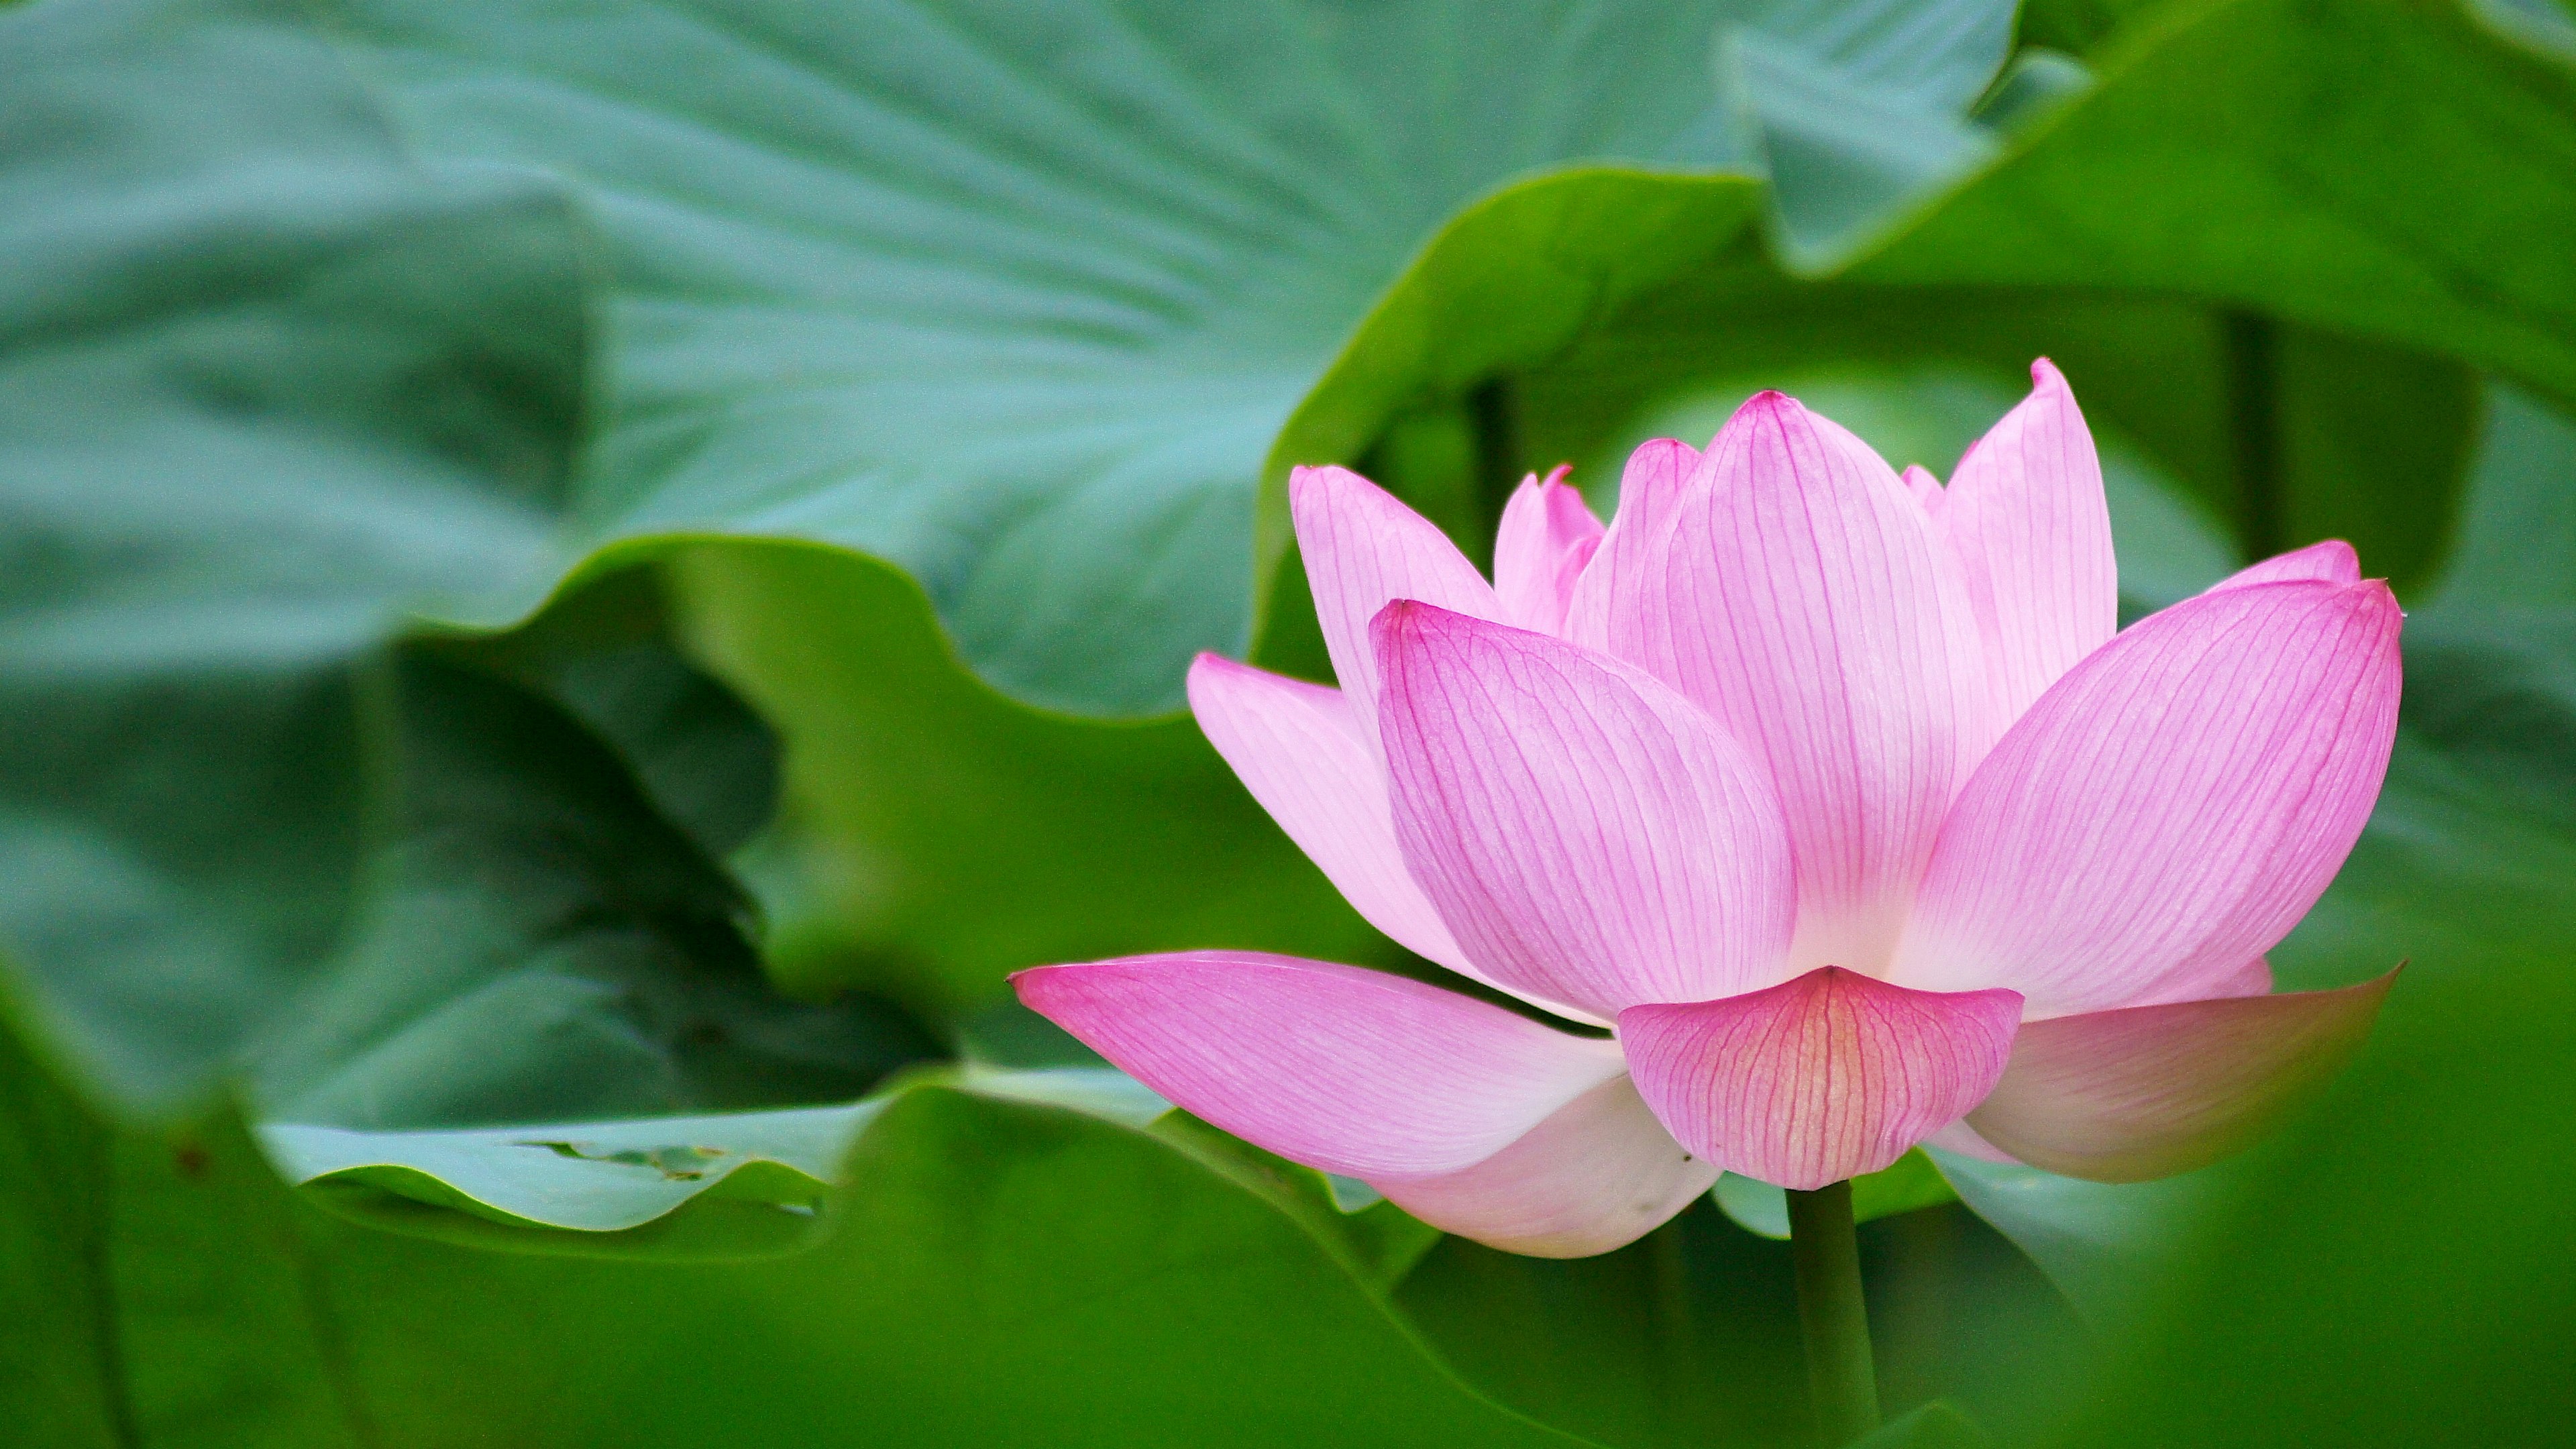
(2031, 530)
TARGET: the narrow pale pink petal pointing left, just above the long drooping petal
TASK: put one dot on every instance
(1305, 757)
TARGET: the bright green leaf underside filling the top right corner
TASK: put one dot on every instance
(2353, 166)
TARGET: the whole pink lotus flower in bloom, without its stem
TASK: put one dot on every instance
(1830, 790)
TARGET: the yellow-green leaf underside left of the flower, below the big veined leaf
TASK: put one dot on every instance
(962, 837)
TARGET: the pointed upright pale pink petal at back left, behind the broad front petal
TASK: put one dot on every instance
(1364, 548)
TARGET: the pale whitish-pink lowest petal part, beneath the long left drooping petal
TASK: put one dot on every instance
(1596, 1177)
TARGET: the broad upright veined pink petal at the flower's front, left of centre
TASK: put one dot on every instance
(1586, 831)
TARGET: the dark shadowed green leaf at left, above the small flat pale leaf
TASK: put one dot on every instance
(542, 948)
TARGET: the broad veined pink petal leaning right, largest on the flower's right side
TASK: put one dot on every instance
(2170, 808)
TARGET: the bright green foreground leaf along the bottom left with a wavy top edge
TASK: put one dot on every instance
(993, 1275)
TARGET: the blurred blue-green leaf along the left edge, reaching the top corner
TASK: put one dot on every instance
(267, 383)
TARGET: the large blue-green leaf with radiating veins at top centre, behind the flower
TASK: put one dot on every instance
(1016, 295)
